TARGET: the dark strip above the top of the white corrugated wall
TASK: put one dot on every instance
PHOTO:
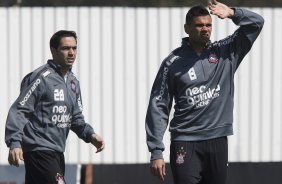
(138, 3)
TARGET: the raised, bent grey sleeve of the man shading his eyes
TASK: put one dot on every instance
(243, 38)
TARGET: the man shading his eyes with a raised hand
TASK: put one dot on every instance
(199, 76)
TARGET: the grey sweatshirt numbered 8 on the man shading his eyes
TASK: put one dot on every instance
(201, 86)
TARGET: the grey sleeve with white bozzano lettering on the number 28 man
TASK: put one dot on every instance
(21, 110)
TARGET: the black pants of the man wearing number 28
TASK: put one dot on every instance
(44, 167)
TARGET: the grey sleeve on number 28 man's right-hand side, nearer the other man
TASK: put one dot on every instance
(83, 130)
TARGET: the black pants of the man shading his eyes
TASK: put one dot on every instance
(199, 162)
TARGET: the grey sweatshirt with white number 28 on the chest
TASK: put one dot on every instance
(47, 108)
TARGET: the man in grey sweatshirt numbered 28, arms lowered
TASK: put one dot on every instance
(49, 105)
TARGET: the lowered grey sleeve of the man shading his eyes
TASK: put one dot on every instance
(158, 111)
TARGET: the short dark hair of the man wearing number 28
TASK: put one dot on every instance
(56, 38)
